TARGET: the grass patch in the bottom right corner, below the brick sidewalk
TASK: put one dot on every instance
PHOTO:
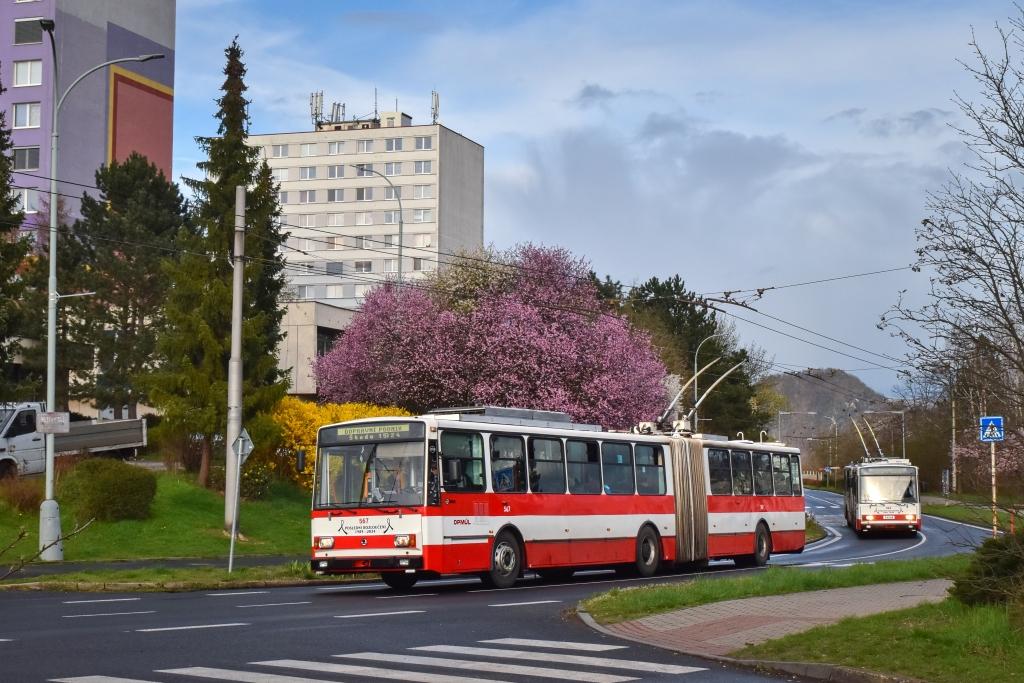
(947, 643)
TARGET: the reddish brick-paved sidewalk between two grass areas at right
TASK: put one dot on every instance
(720, 628)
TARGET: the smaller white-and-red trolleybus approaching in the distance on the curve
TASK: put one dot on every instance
(881, 495)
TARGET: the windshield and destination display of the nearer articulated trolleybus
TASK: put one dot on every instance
(376, 465)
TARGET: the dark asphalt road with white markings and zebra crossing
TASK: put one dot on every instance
(447, 631)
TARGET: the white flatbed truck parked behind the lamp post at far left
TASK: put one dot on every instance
(23, 450)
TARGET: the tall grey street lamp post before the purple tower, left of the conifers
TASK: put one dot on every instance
(50, 513)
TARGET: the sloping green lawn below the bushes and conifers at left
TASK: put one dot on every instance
(186, 522)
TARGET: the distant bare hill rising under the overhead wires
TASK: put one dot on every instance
(829, 393)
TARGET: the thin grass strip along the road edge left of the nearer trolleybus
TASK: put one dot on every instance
(179, 579)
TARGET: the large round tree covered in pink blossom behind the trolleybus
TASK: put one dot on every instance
(536, 337)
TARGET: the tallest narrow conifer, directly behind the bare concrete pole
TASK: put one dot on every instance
(191, 386)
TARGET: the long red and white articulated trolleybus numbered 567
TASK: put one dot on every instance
(496, 492)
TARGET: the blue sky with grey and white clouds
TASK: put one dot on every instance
(740, 145)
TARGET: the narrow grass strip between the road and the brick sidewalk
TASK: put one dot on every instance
(630, 604)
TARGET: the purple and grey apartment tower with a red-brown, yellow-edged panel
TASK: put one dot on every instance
(110, 114)
